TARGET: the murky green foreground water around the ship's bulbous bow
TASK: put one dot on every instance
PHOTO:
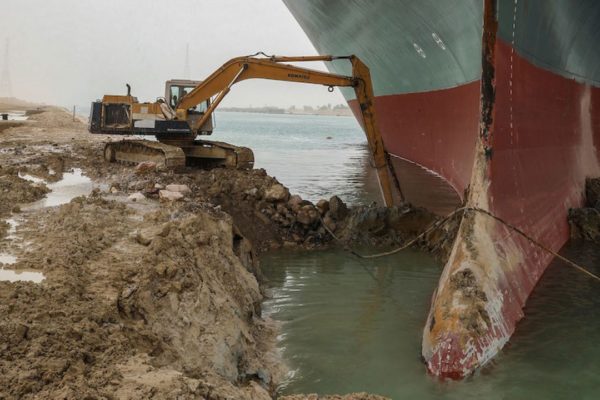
(354, 325)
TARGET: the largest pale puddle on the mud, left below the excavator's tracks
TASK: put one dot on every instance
(72, 185)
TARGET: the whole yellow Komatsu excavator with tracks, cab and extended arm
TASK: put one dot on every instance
(186, 111)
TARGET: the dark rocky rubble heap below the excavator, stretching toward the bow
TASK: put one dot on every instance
(267, 214)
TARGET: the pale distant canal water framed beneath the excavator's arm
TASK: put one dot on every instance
(315, 156)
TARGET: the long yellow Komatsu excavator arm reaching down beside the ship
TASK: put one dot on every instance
(219, 83)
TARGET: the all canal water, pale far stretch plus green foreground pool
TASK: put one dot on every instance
(352, 325)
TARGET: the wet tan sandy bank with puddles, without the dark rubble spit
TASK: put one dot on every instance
(106, 297)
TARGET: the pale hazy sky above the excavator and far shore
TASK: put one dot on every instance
(68, 52)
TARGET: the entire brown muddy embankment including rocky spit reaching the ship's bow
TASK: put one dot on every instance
(147, 298)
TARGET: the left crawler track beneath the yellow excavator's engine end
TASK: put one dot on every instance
(137, 151)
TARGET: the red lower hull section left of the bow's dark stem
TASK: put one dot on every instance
(434, 165)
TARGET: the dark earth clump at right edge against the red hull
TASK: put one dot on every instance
(585, 222)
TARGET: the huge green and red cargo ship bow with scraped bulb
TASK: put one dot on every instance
(490, 103)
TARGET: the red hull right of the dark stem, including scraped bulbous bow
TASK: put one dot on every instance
(542, 146)
